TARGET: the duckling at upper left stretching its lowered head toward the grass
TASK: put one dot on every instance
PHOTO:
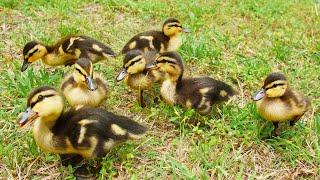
(66, 51)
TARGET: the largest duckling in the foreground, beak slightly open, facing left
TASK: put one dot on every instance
(86, 131)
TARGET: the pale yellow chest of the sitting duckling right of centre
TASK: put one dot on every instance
(168, 92)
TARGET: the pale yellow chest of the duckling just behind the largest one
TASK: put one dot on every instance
(81, 95)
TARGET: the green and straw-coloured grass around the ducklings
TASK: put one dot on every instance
(239, 42)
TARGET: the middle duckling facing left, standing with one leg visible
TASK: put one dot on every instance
(136, 73)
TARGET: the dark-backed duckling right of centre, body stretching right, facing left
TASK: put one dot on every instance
(199, 93)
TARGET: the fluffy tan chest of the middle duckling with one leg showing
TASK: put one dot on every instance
(140, 81)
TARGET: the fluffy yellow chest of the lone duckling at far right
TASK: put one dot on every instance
(275, 110)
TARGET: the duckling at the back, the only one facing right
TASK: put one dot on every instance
(169, 39)
